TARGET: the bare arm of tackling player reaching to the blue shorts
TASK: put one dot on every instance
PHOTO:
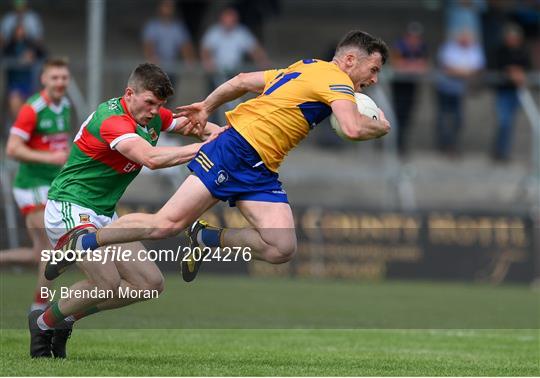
(140, 151)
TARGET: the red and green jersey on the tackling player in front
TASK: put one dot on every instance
(96, 174)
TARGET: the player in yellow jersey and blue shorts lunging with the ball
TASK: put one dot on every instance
(241, 165)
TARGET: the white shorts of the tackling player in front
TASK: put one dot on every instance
(60, 217)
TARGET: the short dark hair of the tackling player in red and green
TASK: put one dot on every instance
(149, 77)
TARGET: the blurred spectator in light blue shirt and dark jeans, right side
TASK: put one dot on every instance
(459, 58)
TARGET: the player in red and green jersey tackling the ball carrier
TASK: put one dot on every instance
(111, 147)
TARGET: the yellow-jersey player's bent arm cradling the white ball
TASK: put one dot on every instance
(357, 126)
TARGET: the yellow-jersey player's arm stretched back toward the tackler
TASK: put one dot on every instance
(198, 112)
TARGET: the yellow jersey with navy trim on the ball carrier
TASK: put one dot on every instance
(293, 101)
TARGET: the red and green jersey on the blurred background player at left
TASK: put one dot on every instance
(44, 126)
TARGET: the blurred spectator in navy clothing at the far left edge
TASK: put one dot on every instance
(23, 57)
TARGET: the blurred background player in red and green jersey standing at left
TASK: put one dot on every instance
(39, 141)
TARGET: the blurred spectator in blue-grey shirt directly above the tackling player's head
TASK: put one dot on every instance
(165, 38)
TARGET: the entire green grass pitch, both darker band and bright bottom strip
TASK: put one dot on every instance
(394, 328)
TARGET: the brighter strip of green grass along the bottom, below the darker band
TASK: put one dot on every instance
(283, 352)
